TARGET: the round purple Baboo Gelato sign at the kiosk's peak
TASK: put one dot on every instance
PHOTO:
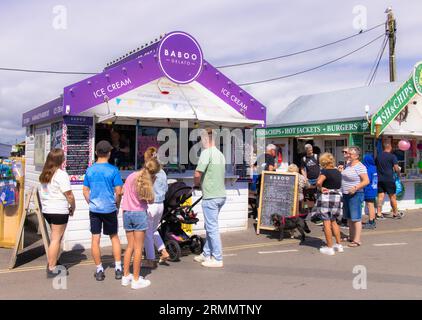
(180, 57)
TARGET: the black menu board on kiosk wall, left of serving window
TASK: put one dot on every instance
(78, 147)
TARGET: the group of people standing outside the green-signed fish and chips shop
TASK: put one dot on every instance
(336, 194)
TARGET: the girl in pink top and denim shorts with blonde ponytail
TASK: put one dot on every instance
(138, 191)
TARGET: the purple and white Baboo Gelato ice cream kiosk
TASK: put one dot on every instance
(160, 91)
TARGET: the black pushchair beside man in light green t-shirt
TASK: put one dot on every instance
(174, 237)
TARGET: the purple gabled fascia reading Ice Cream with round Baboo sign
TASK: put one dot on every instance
(178, 57)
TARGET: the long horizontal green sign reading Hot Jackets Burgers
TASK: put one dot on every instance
(360, 126)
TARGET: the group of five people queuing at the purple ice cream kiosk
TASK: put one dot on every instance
(141, 199)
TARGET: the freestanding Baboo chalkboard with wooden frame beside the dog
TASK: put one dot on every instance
(278, 195)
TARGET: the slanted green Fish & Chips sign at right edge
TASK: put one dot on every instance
(390, 110)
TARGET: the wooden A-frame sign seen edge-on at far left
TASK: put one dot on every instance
(33, 194)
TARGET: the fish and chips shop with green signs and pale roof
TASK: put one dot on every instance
(363, 117)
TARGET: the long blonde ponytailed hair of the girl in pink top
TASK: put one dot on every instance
(144, 180)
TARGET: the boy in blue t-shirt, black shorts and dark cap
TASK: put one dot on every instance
(102, 190)
